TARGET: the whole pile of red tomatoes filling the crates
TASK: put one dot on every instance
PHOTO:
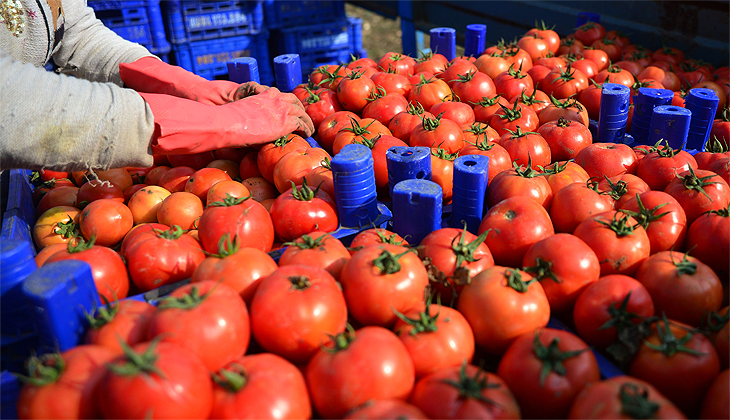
(629, 247)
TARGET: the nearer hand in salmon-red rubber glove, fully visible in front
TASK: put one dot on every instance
(183, 126)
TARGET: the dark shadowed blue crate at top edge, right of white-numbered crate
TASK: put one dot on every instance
(281, 14)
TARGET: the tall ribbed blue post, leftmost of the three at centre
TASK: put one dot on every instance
(354, 179)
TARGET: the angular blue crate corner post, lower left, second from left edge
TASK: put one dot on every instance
(58, 294)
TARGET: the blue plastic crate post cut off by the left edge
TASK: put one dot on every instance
(17, 262)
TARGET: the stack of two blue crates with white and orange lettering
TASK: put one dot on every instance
(207, 35)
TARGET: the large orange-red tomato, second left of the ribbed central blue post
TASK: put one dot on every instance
(245, 219)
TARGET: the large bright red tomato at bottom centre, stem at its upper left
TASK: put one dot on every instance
(375, 356)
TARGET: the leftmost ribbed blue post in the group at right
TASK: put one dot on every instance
(614, 113)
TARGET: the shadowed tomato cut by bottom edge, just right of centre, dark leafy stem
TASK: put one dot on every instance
(466, 392)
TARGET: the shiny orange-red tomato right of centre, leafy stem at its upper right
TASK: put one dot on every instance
(503, 293)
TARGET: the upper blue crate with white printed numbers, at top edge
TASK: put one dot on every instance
(195, 21)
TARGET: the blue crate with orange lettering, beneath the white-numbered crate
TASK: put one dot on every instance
(209, 58)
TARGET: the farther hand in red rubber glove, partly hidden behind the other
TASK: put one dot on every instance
(151, 75)
